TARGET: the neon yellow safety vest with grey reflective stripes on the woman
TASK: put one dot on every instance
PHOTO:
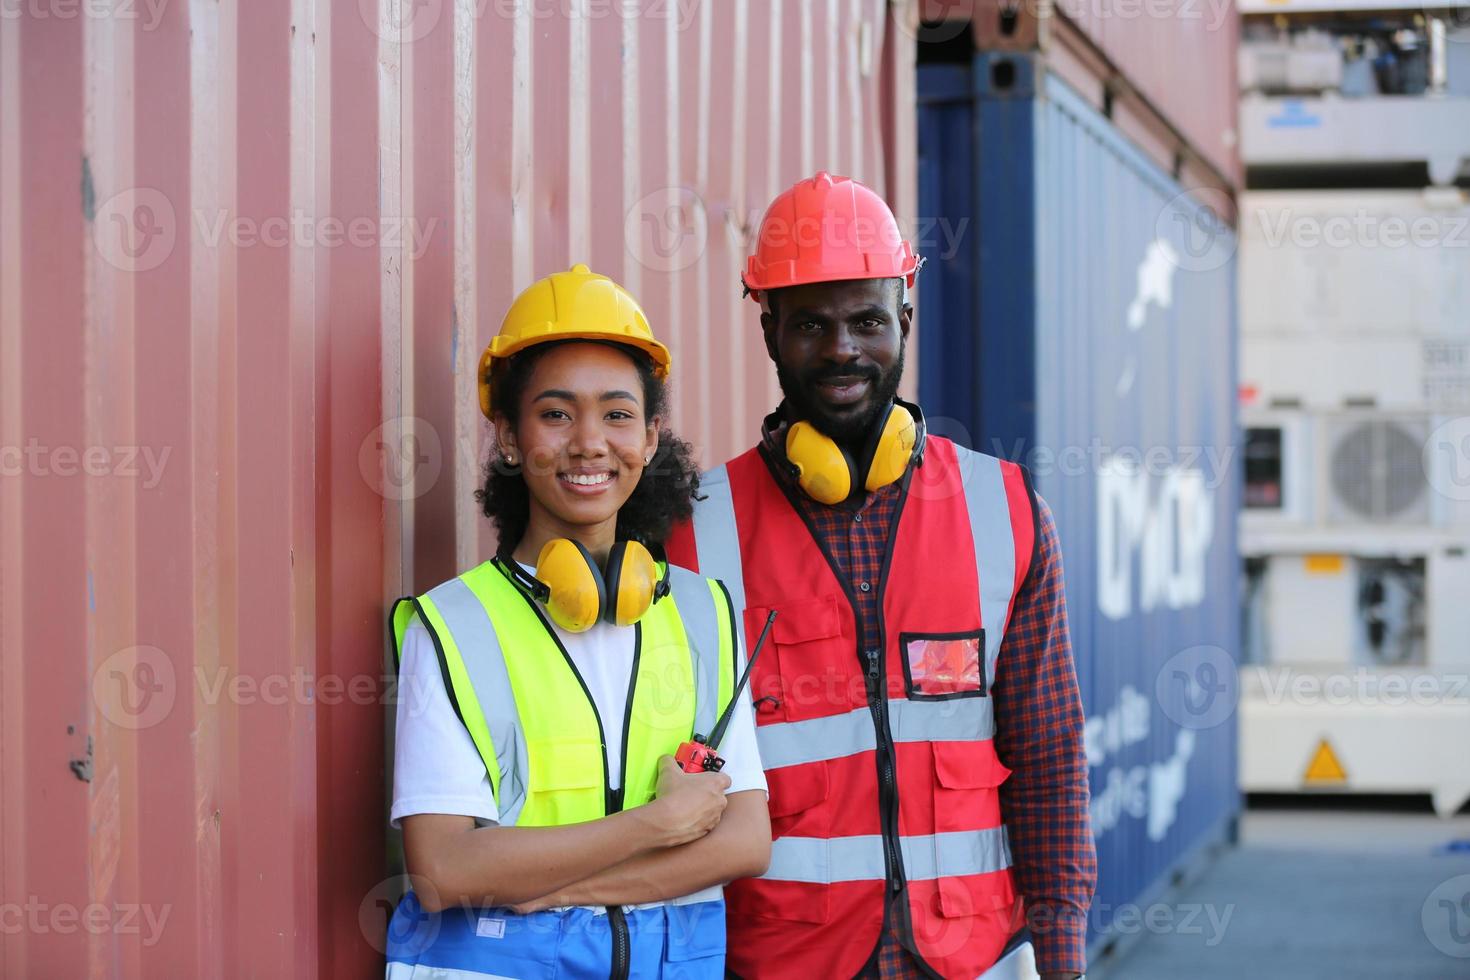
(530, 713)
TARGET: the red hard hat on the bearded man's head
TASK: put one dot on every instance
(828, 228)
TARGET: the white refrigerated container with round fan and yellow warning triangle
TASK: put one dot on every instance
(1356, 534)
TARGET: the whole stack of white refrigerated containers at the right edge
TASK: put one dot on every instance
(1356, 386)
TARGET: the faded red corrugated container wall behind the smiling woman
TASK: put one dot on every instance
(249, 258)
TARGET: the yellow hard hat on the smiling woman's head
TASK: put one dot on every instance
(570, 306)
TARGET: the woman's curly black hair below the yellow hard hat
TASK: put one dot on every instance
(665, 494)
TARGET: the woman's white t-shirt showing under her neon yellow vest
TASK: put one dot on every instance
(439, 771)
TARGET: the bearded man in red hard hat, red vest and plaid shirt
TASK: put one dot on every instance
(918, 712)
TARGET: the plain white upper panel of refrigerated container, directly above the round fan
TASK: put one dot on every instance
(1356, 299)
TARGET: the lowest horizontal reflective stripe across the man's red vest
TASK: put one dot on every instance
(861, 859)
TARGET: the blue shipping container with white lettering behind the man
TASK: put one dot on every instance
(1086, 325)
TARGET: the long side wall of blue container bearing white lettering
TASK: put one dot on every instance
(1136, 372)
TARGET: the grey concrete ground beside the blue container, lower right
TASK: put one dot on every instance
(1321, 894)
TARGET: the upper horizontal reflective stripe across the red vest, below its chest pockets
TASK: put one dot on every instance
(839, 735)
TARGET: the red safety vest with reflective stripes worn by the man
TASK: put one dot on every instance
(878, 750)
